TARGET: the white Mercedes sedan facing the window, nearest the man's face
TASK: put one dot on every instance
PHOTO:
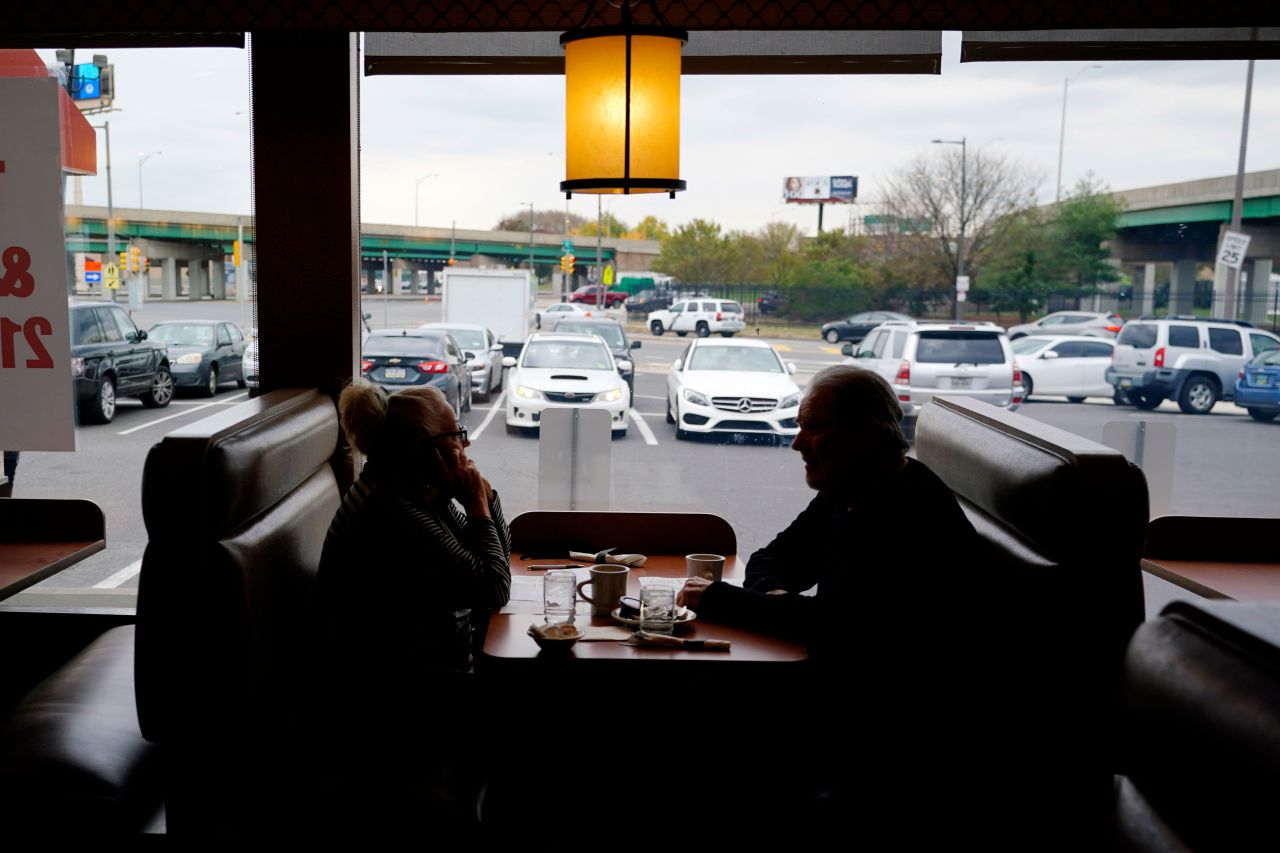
(733, 386)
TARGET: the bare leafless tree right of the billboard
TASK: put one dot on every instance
(939, 197)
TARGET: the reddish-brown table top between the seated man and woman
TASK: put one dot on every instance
(509, 641)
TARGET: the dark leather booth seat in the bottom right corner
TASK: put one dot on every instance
(1201, 746)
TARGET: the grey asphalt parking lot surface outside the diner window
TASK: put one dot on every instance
(1226, 463)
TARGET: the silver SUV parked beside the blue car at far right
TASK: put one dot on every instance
(1185, 359)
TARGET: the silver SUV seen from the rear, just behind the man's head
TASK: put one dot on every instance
(922, 361)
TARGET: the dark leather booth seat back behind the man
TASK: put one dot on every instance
(1063, 523)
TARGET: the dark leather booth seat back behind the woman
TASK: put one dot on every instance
(226, 641)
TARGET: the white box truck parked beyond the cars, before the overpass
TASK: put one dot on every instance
(499, 299)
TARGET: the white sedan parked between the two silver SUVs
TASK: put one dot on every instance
(1072, 367)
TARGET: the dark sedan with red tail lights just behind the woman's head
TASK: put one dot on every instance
(405, 358)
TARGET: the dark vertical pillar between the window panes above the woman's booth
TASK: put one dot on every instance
(307, 207)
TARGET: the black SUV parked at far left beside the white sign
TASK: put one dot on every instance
(113, 359)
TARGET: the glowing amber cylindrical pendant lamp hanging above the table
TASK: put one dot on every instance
(623, 108)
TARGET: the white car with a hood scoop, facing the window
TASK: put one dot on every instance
(565, 371)
